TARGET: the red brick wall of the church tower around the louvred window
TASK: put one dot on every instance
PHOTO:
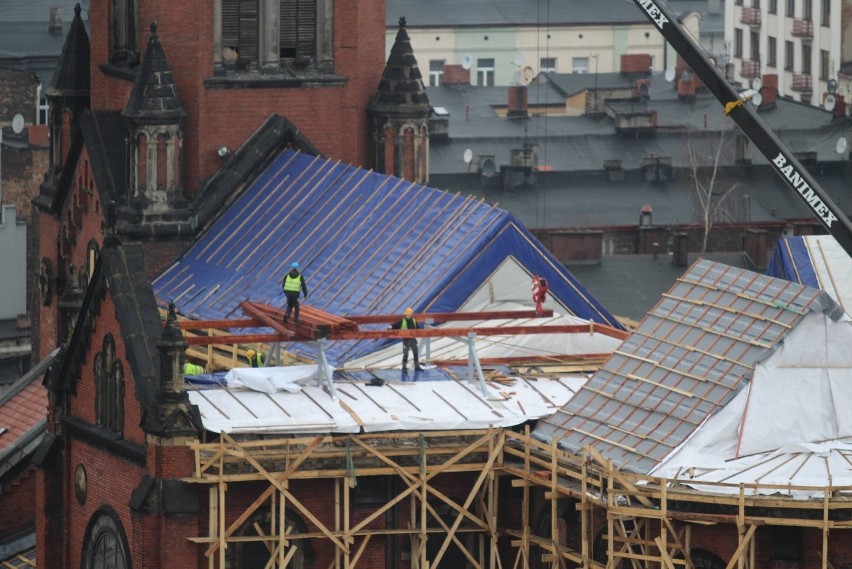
(334, 118)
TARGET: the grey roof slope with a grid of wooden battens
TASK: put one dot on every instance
(688, 358)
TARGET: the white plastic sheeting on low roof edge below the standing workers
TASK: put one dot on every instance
(285, 400)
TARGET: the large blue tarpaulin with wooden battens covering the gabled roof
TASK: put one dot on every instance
(367, 243)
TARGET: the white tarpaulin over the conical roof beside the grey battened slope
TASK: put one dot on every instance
(792, 425)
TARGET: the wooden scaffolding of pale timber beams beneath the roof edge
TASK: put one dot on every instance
(641, 521)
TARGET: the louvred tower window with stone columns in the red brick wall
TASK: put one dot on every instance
(250, 37)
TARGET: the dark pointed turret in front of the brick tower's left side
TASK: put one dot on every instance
(155, 118)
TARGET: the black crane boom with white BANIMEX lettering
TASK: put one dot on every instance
(781, 159)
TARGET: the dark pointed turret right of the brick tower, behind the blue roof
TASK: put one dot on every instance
(399, 115)
